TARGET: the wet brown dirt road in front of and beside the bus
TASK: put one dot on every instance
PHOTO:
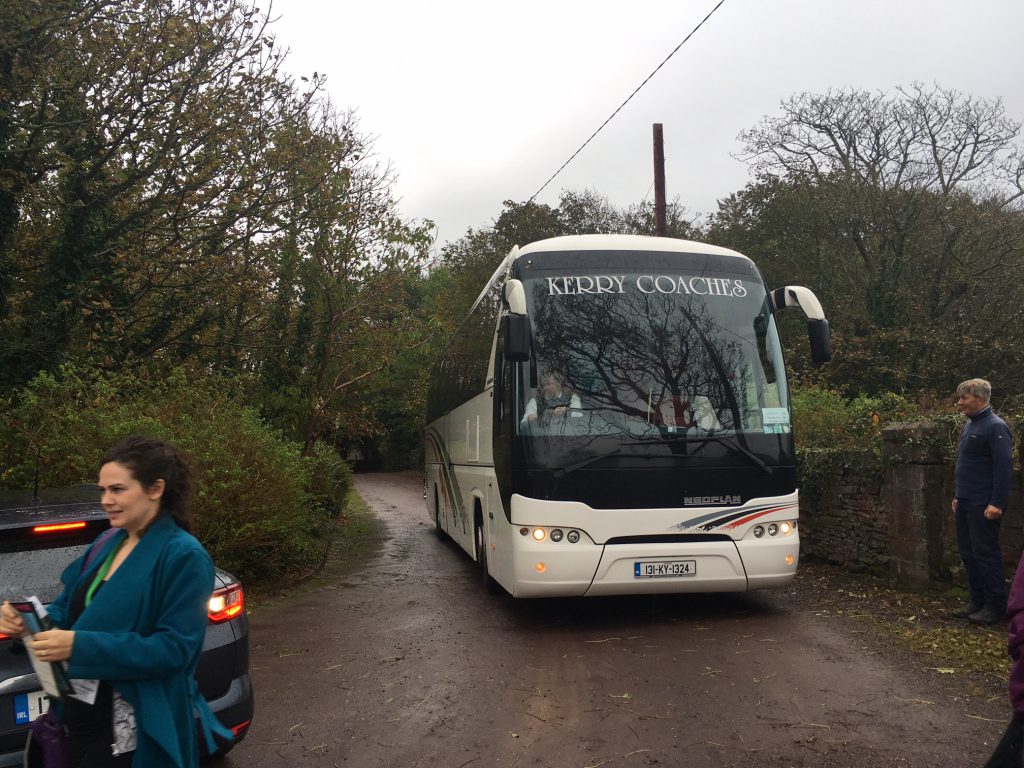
(407, 663)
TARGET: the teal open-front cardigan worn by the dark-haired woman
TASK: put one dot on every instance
(144, 634)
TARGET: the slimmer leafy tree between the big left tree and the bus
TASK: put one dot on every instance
(343, 316)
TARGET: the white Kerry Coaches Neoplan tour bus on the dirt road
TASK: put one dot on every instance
(613, 417)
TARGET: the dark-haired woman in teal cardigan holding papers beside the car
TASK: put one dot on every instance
(133, 616)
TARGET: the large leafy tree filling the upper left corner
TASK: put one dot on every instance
(143, 153)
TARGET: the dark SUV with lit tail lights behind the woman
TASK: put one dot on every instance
(39, 537)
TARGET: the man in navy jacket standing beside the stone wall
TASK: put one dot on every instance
(985, 471)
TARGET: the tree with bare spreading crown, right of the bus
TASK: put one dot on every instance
(907, 208)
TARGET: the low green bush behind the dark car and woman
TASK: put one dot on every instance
(262, 509)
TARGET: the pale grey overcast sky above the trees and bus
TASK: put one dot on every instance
(476, 103)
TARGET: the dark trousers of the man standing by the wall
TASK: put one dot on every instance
(978, 539)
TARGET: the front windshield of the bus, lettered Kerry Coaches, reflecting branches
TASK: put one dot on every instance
(651, 357)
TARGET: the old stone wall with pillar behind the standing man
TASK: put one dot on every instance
(902, 525)
